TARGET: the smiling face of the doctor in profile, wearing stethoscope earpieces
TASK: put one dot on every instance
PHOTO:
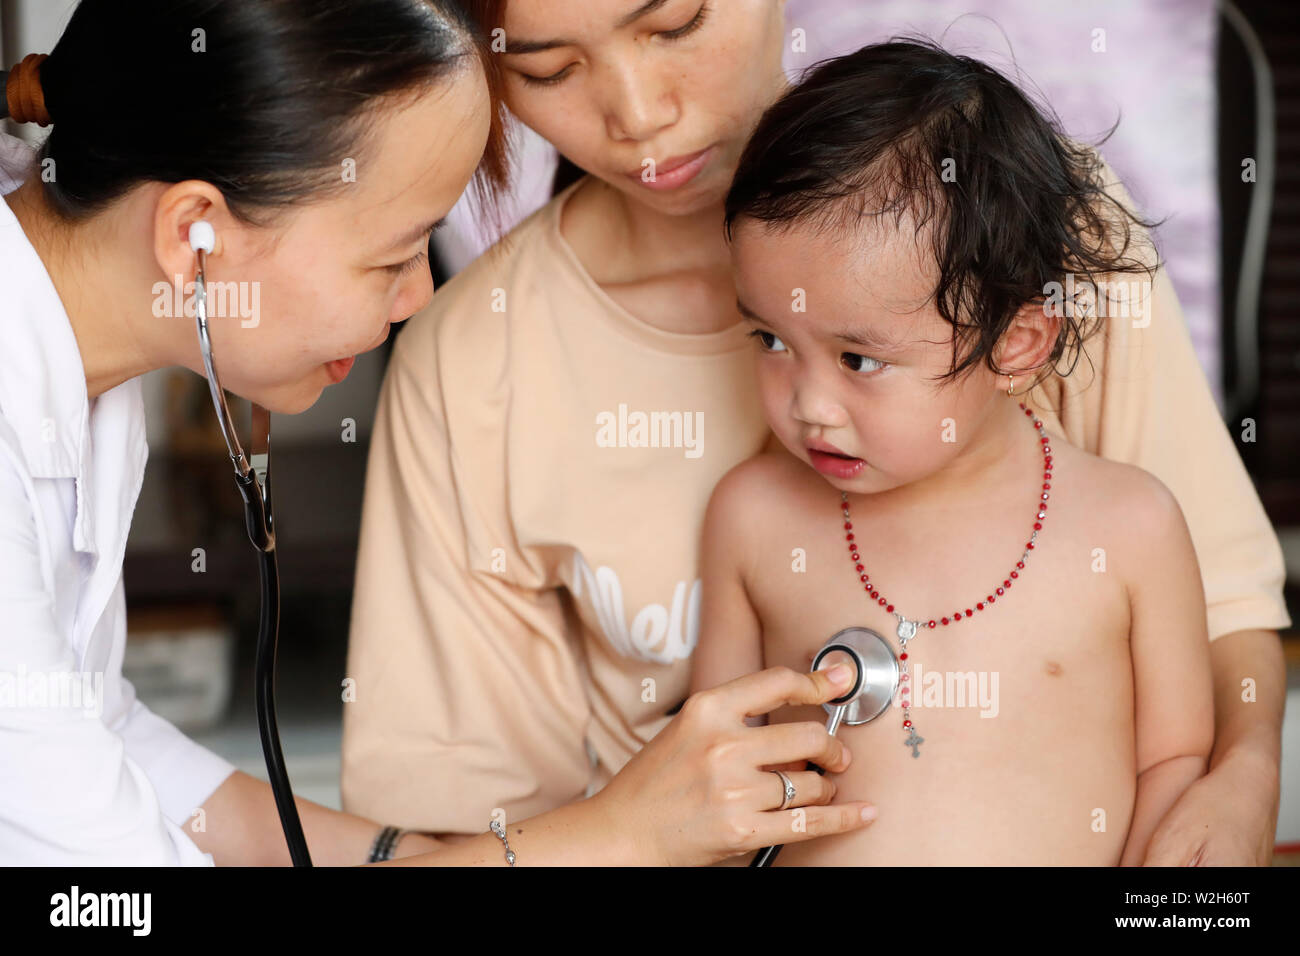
(332, 278)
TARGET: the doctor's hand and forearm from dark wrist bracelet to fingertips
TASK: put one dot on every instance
(696, 794)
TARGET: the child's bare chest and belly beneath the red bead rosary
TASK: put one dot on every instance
(1025, 710)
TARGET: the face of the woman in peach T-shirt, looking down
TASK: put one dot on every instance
(631, 89)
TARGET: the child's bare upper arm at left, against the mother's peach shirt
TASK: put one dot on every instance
(730, 633)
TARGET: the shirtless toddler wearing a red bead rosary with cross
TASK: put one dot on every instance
(913, 245)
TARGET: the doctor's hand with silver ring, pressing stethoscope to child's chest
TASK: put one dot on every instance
(700, 791)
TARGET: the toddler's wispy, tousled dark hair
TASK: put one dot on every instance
(905, 128)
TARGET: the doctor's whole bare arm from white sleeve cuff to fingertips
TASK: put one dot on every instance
(694, 795)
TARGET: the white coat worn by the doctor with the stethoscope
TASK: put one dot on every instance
(83, 781)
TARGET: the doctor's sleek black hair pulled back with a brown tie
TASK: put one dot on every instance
(265, 100)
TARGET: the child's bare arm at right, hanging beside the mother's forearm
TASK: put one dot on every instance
(1173, 689)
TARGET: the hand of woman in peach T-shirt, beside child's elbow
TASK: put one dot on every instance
(1227, 819)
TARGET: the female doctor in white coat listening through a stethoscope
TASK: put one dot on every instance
(323, 144)
